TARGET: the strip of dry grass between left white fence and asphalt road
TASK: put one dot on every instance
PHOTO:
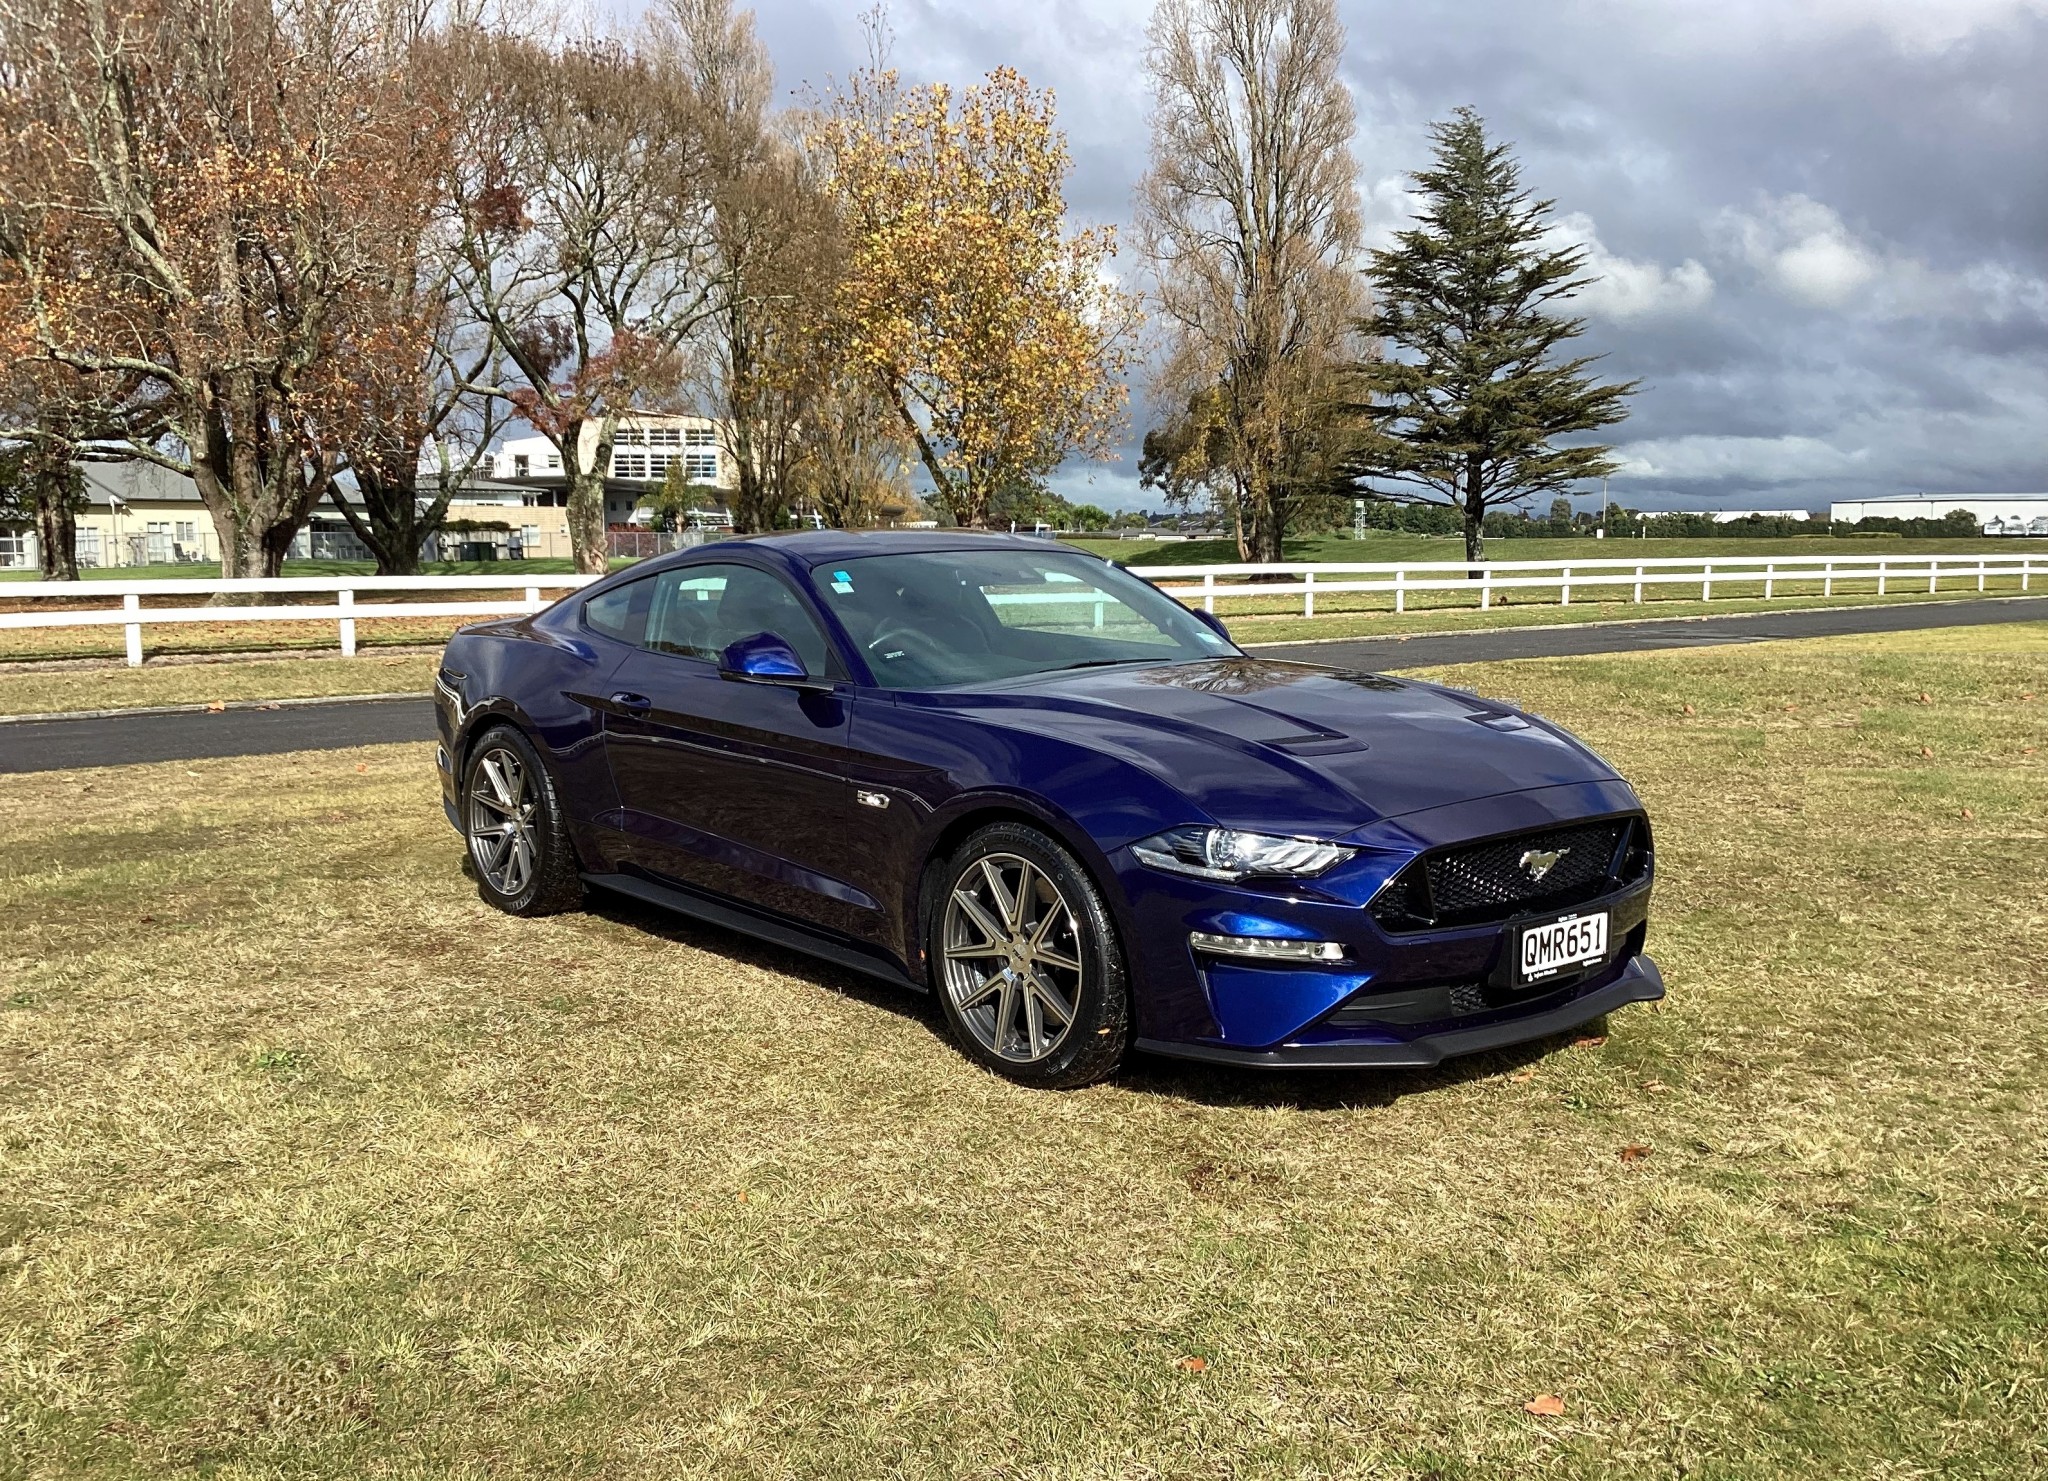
(50, 691)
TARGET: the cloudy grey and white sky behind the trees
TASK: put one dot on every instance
(1822, 224)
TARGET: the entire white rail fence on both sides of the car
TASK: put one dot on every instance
(1818, 575)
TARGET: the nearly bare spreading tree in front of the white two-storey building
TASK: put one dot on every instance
(585, 239)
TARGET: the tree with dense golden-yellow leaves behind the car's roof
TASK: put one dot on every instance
(992, 333)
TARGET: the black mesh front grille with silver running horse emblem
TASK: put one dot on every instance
(1478, 884)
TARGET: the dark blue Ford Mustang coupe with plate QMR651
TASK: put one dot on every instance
(1074, 810)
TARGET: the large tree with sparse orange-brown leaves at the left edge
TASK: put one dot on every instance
(222, 175)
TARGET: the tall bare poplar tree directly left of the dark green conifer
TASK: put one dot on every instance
(1250, 222)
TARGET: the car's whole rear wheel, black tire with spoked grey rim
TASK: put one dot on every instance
(519, 847)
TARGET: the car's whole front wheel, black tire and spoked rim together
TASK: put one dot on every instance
(1025, 962)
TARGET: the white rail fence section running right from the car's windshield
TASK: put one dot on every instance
(1488, 579)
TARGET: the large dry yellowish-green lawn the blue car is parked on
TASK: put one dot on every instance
(312, 1167)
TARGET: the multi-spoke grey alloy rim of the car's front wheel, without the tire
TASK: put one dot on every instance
(1013, 954)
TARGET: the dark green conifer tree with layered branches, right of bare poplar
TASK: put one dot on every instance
(1467, 400)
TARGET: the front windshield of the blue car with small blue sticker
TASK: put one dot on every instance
(939, 620)
